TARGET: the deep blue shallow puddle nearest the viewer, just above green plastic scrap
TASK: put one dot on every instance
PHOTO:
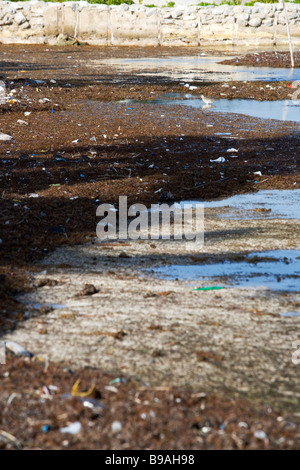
(275, 270)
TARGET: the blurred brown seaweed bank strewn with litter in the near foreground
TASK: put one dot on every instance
(37, 403)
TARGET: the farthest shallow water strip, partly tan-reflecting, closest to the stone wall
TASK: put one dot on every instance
(196, 68)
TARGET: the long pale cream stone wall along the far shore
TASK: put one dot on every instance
(39, 22)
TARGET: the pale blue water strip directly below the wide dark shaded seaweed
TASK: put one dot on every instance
(284, 204)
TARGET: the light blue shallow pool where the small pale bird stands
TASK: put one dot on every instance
(285, 110)
